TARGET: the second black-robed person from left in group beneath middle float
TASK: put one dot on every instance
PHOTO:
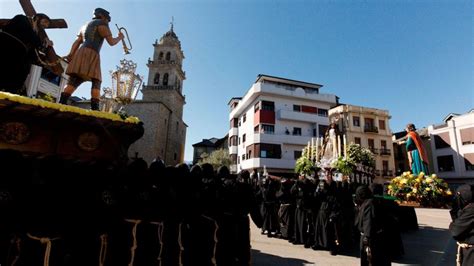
(286, 213)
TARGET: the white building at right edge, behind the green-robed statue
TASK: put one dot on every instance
(452, 145)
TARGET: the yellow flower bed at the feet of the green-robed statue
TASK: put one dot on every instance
(426, 190)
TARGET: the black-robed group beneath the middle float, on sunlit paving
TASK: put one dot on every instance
(331, 215)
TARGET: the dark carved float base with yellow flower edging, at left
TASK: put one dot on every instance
(41, 128)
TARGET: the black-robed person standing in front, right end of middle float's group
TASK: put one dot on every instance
(373, 240)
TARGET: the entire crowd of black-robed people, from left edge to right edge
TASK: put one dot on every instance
(62, 212)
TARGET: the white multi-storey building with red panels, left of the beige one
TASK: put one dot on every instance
(274, 121)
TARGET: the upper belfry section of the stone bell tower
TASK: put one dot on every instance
(165, 73)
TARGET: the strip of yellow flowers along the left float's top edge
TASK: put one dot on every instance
(65, 108)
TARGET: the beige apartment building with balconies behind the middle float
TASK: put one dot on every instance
(368, 127)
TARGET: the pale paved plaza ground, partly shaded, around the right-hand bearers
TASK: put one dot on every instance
(430, 245)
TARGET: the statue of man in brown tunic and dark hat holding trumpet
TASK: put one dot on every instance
(84, 58)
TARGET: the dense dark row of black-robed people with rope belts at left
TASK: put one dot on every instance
(60, 212)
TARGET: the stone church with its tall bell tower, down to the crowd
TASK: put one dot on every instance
(161, 108)
